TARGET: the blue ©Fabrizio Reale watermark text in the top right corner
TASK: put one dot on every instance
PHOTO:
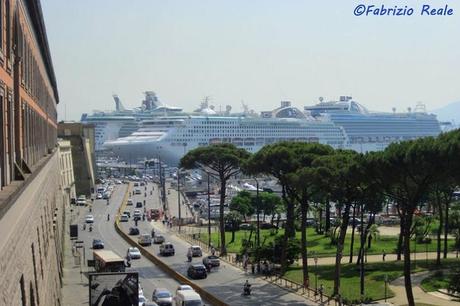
(383, 10)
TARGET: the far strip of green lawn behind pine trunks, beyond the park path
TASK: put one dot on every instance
(319, 243)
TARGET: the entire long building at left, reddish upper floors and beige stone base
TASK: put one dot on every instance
(31, 196)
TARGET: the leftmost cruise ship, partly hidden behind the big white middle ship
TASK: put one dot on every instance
(123, 122)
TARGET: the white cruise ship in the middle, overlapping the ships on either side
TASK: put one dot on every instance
(169, 138)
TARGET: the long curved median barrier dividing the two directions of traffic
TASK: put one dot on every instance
(154, 259)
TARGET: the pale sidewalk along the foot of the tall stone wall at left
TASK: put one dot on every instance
(75, 285)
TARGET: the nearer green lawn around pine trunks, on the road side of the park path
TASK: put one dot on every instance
(374, 277)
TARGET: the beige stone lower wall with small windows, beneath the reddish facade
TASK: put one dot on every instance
(31, 242)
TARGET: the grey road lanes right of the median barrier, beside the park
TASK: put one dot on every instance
(225, 282)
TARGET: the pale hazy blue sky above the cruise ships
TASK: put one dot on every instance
(258, 51)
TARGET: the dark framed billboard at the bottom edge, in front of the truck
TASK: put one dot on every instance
(114, 289)
